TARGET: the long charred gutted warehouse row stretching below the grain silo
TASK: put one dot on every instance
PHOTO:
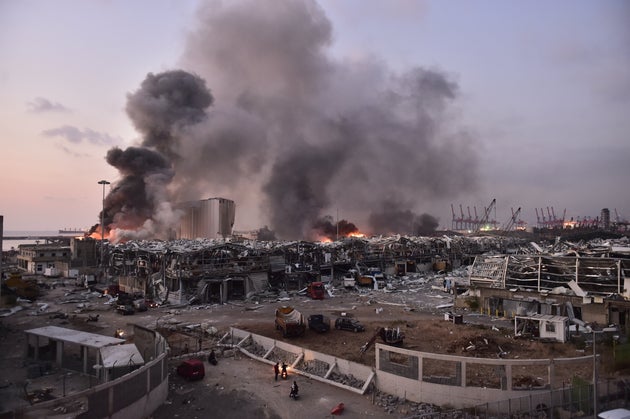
(207, 270)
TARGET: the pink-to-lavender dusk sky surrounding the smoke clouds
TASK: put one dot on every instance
(543, 95)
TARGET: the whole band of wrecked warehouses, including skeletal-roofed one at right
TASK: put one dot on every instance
(585, 281)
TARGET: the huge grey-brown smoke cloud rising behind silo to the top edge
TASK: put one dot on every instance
(302, 132)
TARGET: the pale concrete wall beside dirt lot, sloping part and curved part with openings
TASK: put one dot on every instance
(404, 377)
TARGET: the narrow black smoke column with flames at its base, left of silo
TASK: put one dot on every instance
(140, 203)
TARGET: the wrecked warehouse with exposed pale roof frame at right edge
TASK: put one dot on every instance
(585, 284)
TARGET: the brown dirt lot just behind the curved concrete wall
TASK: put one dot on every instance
(428, 332)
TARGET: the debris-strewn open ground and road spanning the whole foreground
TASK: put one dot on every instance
(244, 388)
